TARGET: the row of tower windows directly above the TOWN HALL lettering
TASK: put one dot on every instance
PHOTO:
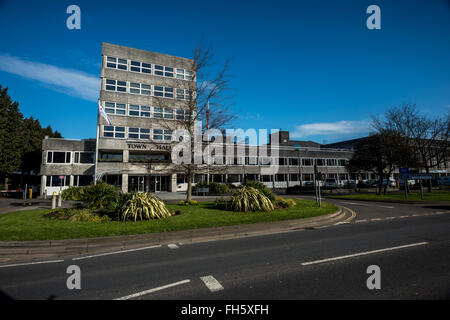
(136, 133)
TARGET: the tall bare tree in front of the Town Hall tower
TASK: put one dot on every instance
(205, 96)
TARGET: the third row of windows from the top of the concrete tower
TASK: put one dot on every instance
(146, 111)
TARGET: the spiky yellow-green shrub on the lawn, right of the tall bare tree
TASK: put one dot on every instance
(247, 199)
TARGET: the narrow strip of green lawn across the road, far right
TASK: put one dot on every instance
(412, 196)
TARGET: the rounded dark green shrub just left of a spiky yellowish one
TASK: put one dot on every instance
(100, 196)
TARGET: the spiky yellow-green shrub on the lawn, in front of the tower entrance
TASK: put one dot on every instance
(144, 206)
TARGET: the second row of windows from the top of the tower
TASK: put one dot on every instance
(146, 89)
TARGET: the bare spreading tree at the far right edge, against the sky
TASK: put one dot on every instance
(426, 138)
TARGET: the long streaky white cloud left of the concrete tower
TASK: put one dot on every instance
(72, 82)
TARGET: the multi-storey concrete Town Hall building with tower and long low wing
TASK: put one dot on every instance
(142, 92)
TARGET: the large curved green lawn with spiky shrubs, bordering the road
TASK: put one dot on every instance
(31, 225)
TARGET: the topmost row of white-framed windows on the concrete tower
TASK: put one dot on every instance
(148, 68)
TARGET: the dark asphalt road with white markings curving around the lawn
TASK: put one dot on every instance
(409, 243)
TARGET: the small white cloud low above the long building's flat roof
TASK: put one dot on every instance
(332, 129)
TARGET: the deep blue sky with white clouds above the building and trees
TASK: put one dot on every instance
(310, 67)
